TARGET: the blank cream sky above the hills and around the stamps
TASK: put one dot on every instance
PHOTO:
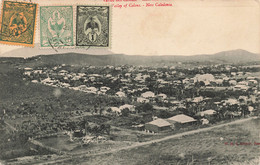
(188, 27)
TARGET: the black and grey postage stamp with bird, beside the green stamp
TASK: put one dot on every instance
(92, 26)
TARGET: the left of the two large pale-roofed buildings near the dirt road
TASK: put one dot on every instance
(158, 125)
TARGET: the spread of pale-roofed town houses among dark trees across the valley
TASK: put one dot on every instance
(200, 94)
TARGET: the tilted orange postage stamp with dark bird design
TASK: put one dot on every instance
(18, 23)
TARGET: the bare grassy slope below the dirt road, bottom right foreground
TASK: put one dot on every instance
(204, 148)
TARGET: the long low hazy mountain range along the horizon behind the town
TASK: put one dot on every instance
(233, 56)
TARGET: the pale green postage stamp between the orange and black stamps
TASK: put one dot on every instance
(56, 26)
